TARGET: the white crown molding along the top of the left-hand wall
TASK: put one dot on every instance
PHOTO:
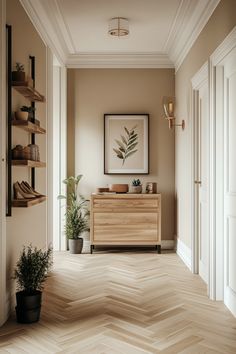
(42, 21)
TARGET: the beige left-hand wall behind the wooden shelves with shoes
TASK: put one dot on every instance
(27, 224)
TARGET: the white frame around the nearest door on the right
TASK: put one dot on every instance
(217, 179)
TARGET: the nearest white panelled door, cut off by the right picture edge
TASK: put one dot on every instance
(230, 181)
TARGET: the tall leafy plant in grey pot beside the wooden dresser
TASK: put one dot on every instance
(77, 214)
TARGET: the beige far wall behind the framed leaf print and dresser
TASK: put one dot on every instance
(93, 92)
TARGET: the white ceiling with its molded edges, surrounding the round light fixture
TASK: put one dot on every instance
(161, 31)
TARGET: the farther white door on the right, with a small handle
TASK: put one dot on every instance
(201, 172)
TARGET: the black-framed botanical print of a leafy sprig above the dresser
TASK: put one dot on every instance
(126, 143)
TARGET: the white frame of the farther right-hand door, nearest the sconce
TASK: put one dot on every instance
(198, 80)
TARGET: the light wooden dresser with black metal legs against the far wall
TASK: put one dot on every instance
(126, 219)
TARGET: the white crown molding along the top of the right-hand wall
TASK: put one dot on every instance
(188, 25)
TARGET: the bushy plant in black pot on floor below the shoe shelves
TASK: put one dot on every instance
(30, 273)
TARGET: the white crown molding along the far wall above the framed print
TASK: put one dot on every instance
(119, 60)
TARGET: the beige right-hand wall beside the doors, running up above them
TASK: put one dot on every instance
(220, 24)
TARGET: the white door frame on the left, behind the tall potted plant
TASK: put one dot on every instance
(57, 240)
